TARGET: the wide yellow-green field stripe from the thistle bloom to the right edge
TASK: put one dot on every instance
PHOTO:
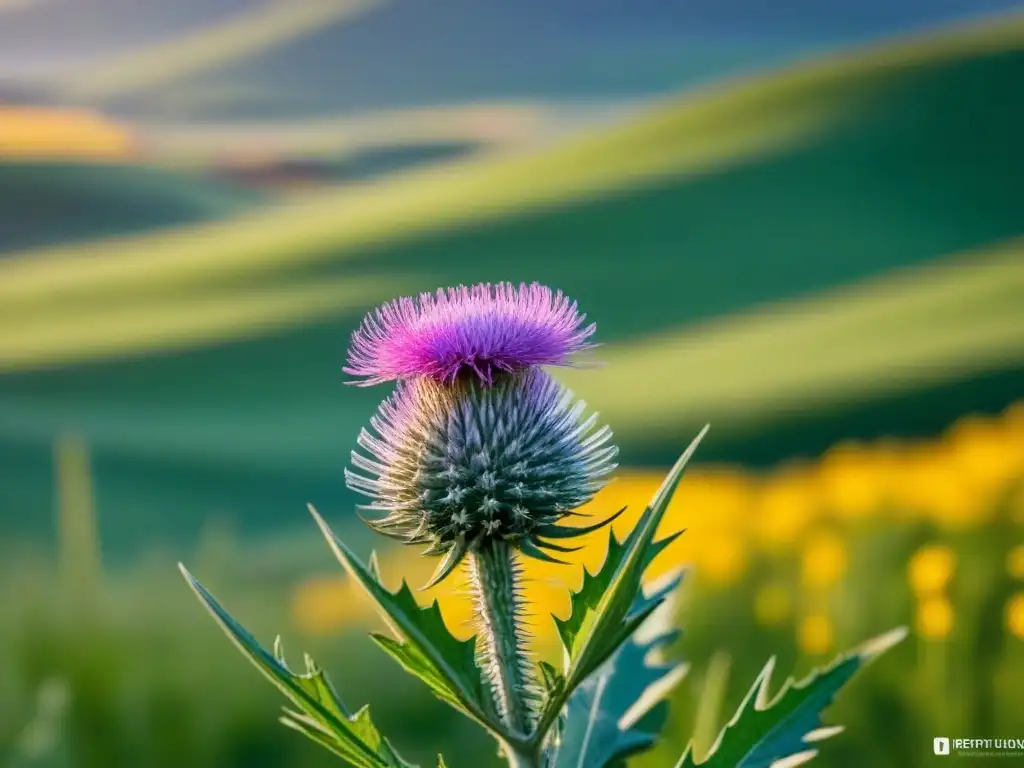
(922, 326)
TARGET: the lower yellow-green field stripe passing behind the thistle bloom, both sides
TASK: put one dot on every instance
(929, 324)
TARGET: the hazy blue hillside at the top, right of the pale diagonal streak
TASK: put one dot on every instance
(578, 50)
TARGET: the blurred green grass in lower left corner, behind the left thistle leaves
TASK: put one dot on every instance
(153, 682)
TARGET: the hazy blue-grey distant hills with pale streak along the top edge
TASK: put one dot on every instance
(219, 59)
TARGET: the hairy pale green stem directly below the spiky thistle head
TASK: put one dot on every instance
(495, 578)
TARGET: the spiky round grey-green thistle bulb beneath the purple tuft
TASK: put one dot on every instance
(459, 466)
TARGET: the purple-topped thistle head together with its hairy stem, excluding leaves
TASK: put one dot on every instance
(480, 453)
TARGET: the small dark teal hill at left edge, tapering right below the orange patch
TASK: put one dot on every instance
(46, 203)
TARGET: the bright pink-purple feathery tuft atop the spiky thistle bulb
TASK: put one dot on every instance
(483, 330)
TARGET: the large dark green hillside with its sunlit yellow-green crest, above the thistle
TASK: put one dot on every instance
(819, 164)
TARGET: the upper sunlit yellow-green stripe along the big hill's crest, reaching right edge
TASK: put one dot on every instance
(698, 134)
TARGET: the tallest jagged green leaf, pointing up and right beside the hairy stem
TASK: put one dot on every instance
(606, 610)
